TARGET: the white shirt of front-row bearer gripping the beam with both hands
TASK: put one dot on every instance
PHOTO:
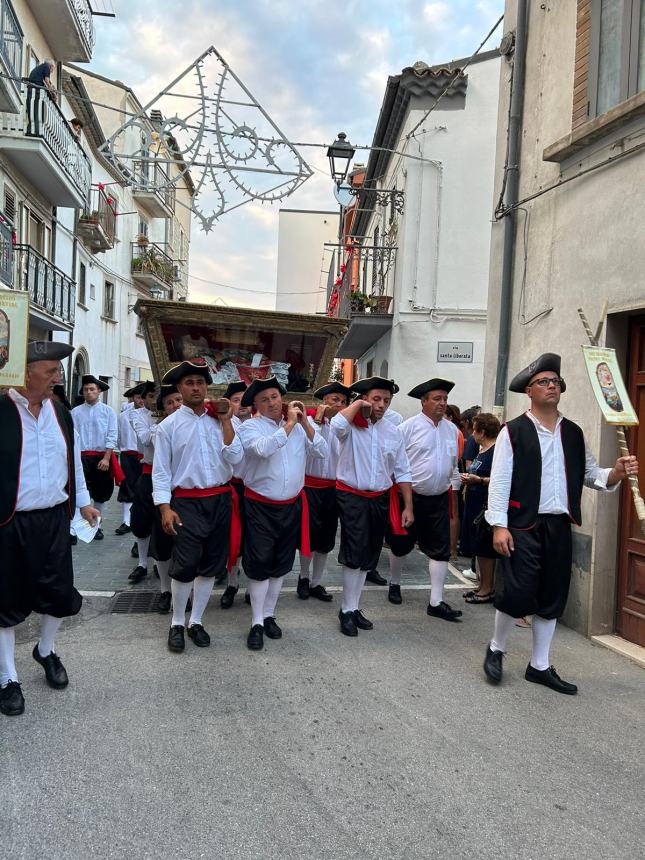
(274, 464)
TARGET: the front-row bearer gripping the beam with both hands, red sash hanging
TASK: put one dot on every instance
(275, 450)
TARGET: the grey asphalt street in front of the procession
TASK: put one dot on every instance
(391, 745)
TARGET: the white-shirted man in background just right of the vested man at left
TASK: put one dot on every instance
(97, 427)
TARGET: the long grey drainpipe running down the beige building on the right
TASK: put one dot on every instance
(513, 142)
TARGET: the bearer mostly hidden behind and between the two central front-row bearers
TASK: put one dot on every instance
(320, 487)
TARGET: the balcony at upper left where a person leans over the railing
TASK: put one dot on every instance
(40, 144)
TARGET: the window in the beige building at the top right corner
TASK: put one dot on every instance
(617, 57)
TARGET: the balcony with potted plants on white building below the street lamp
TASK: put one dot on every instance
(364, 295)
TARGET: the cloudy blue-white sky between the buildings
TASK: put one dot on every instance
(316, 67)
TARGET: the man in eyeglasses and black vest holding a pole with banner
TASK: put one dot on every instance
(540, 466)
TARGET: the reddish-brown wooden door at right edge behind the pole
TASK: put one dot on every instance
(630, 621)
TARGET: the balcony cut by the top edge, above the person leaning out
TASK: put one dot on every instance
(68, 27)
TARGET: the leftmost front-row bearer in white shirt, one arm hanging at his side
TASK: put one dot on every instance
(194, 457)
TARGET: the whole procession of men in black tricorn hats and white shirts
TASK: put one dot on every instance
(211, 486)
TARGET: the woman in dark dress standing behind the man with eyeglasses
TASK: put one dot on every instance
(486, 428)
